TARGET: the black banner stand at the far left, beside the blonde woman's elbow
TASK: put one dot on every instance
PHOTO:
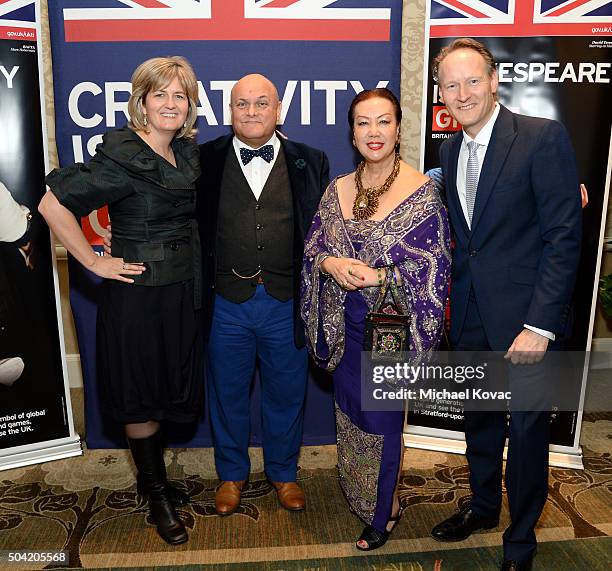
(35, 408)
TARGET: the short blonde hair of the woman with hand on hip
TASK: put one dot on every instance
(157, 73)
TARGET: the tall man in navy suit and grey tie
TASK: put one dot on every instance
(514, 206)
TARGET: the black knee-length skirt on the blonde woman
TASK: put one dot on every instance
(149, 352)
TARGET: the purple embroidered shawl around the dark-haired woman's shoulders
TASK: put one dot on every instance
(414, 237)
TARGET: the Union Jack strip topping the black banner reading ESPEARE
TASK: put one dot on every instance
(504, 18)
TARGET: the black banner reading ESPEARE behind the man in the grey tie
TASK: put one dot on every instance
(554, 61)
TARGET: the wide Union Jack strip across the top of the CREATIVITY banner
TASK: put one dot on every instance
(149, 20)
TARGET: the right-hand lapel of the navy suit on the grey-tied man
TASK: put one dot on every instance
(502, 137)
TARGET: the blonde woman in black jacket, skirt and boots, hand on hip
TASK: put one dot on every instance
(149, 346)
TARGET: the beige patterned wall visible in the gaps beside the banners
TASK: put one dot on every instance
(411, 101)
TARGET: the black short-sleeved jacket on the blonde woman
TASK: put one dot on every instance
(151, 203)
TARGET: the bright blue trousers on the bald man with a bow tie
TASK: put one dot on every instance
(242, 334)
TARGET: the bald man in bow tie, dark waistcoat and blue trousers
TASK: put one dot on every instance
(258, 194)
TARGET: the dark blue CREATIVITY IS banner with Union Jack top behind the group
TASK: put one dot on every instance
(318, 53)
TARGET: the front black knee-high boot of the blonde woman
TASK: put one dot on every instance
(149, 460)
